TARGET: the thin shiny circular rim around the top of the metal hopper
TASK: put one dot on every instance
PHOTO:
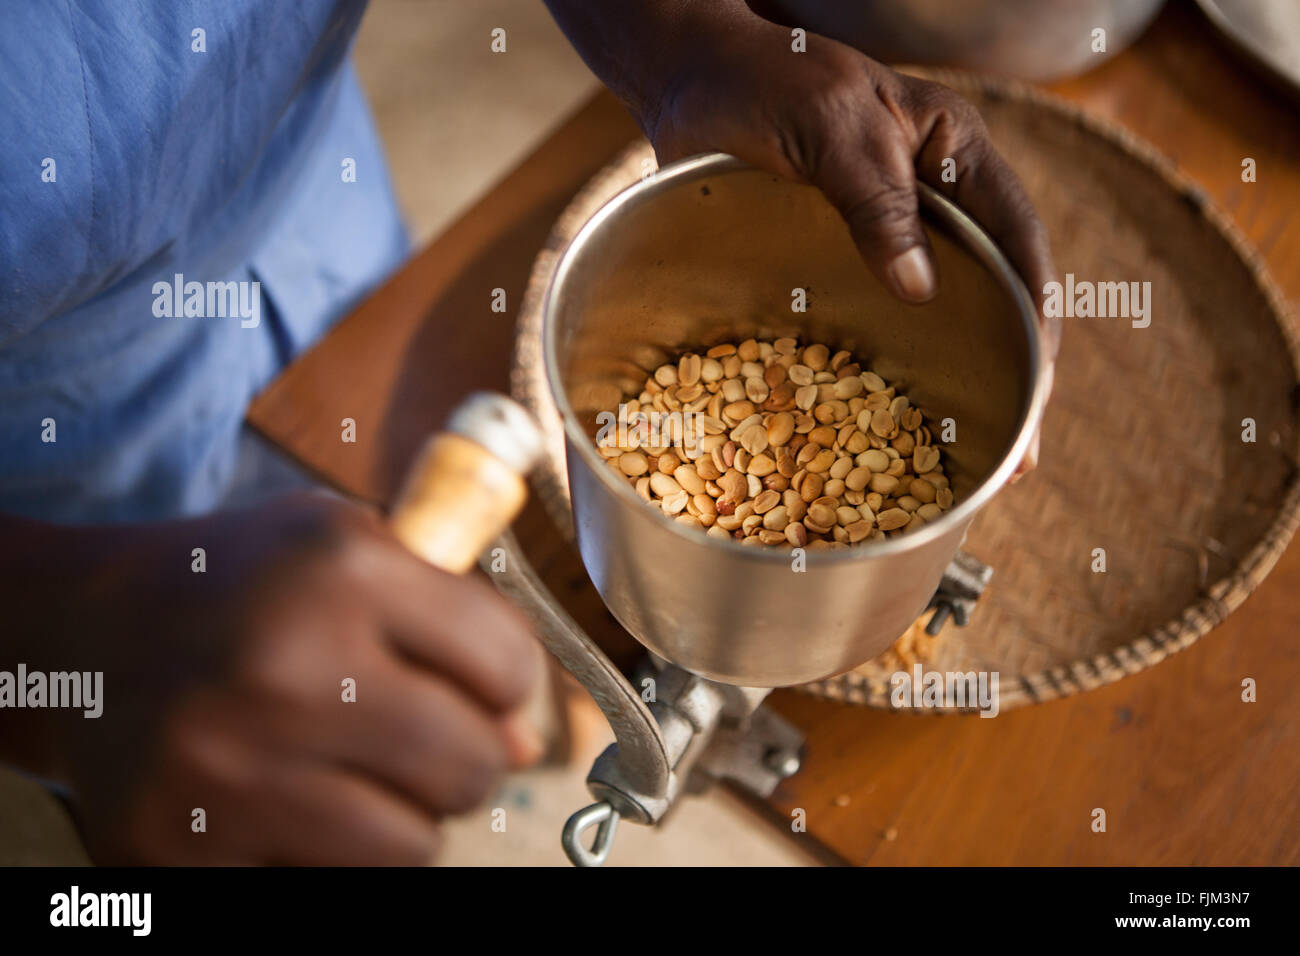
(934, 205)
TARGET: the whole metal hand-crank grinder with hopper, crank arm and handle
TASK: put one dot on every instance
(705, 252)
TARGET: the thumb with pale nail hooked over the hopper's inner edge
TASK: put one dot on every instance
(876, 191)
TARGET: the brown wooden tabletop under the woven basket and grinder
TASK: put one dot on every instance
(1186, 771)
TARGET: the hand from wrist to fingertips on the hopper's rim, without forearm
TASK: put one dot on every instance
(860, 132)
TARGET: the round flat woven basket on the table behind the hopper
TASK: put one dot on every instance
(1143, 452)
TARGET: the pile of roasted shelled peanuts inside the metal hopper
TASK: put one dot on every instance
(779, 445)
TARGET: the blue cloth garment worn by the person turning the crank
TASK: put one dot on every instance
(149, 150)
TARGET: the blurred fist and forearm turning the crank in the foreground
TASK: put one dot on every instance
(224, 689)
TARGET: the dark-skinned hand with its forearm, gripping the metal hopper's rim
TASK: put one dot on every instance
(713, 76)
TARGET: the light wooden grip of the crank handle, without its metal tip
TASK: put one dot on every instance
(456, 503)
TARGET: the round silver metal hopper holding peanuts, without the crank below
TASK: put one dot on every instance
(709, 250)
